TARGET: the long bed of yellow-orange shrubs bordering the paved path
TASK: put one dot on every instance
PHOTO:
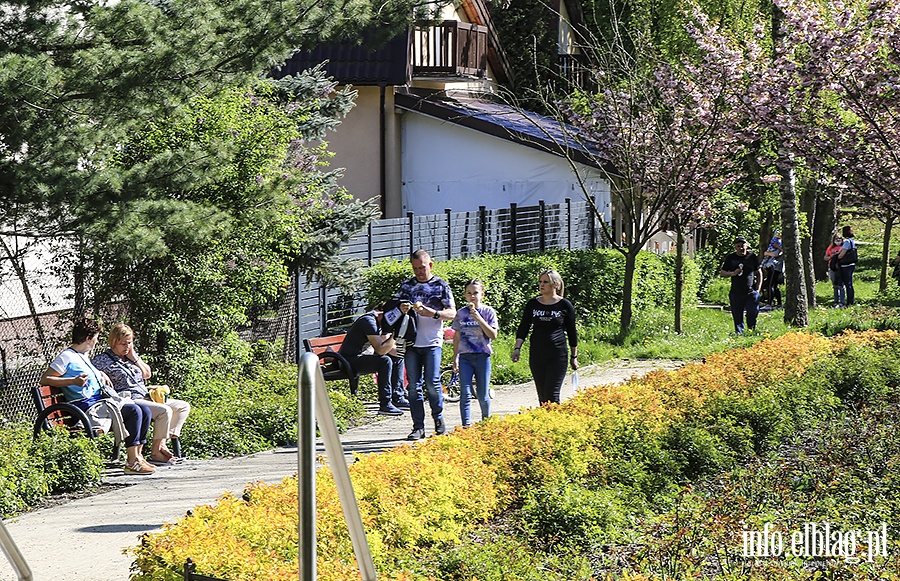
(435, 491)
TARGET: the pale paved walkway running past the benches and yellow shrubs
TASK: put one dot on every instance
(84, 539)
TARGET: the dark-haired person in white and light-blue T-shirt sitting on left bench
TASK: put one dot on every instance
(82, 383)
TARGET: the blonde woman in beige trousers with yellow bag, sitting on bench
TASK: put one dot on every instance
(128, 373)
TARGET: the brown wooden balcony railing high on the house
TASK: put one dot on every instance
(449, 49)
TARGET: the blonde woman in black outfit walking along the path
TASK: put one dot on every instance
(551, 319)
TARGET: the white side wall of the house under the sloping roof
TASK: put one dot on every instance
(449, 166)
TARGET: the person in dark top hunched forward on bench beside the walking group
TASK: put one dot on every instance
(364, 333)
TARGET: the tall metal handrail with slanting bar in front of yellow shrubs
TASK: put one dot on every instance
(313, 402)
